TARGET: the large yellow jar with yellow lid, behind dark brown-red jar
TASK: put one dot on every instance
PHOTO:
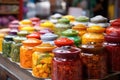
(94, 34)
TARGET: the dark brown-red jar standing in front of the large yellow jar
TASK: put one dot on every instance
(94, 60)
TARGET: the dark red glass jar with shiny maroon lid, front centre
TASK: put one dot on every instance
(66, 64)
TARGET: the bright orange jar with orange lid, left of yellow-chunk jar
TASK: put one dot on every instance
(26, 51)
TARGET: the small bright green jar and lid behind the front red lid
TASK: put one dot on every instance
(72, 34)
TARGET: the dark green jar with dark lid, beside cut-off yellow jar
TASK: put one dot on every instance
(6, 45)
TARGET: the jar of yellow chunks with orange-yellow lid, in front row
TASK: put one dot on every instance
(42, 60)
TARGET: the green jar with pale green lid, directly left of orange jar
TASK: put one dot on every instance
(15, 48)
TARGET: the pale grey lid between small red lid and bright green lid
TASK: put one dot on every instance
(49, 37)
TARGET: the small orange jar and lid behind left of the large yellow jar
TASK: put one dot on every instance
(80, 28)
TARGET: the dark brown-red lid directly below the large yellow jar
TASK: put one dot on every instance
(92, 47)
